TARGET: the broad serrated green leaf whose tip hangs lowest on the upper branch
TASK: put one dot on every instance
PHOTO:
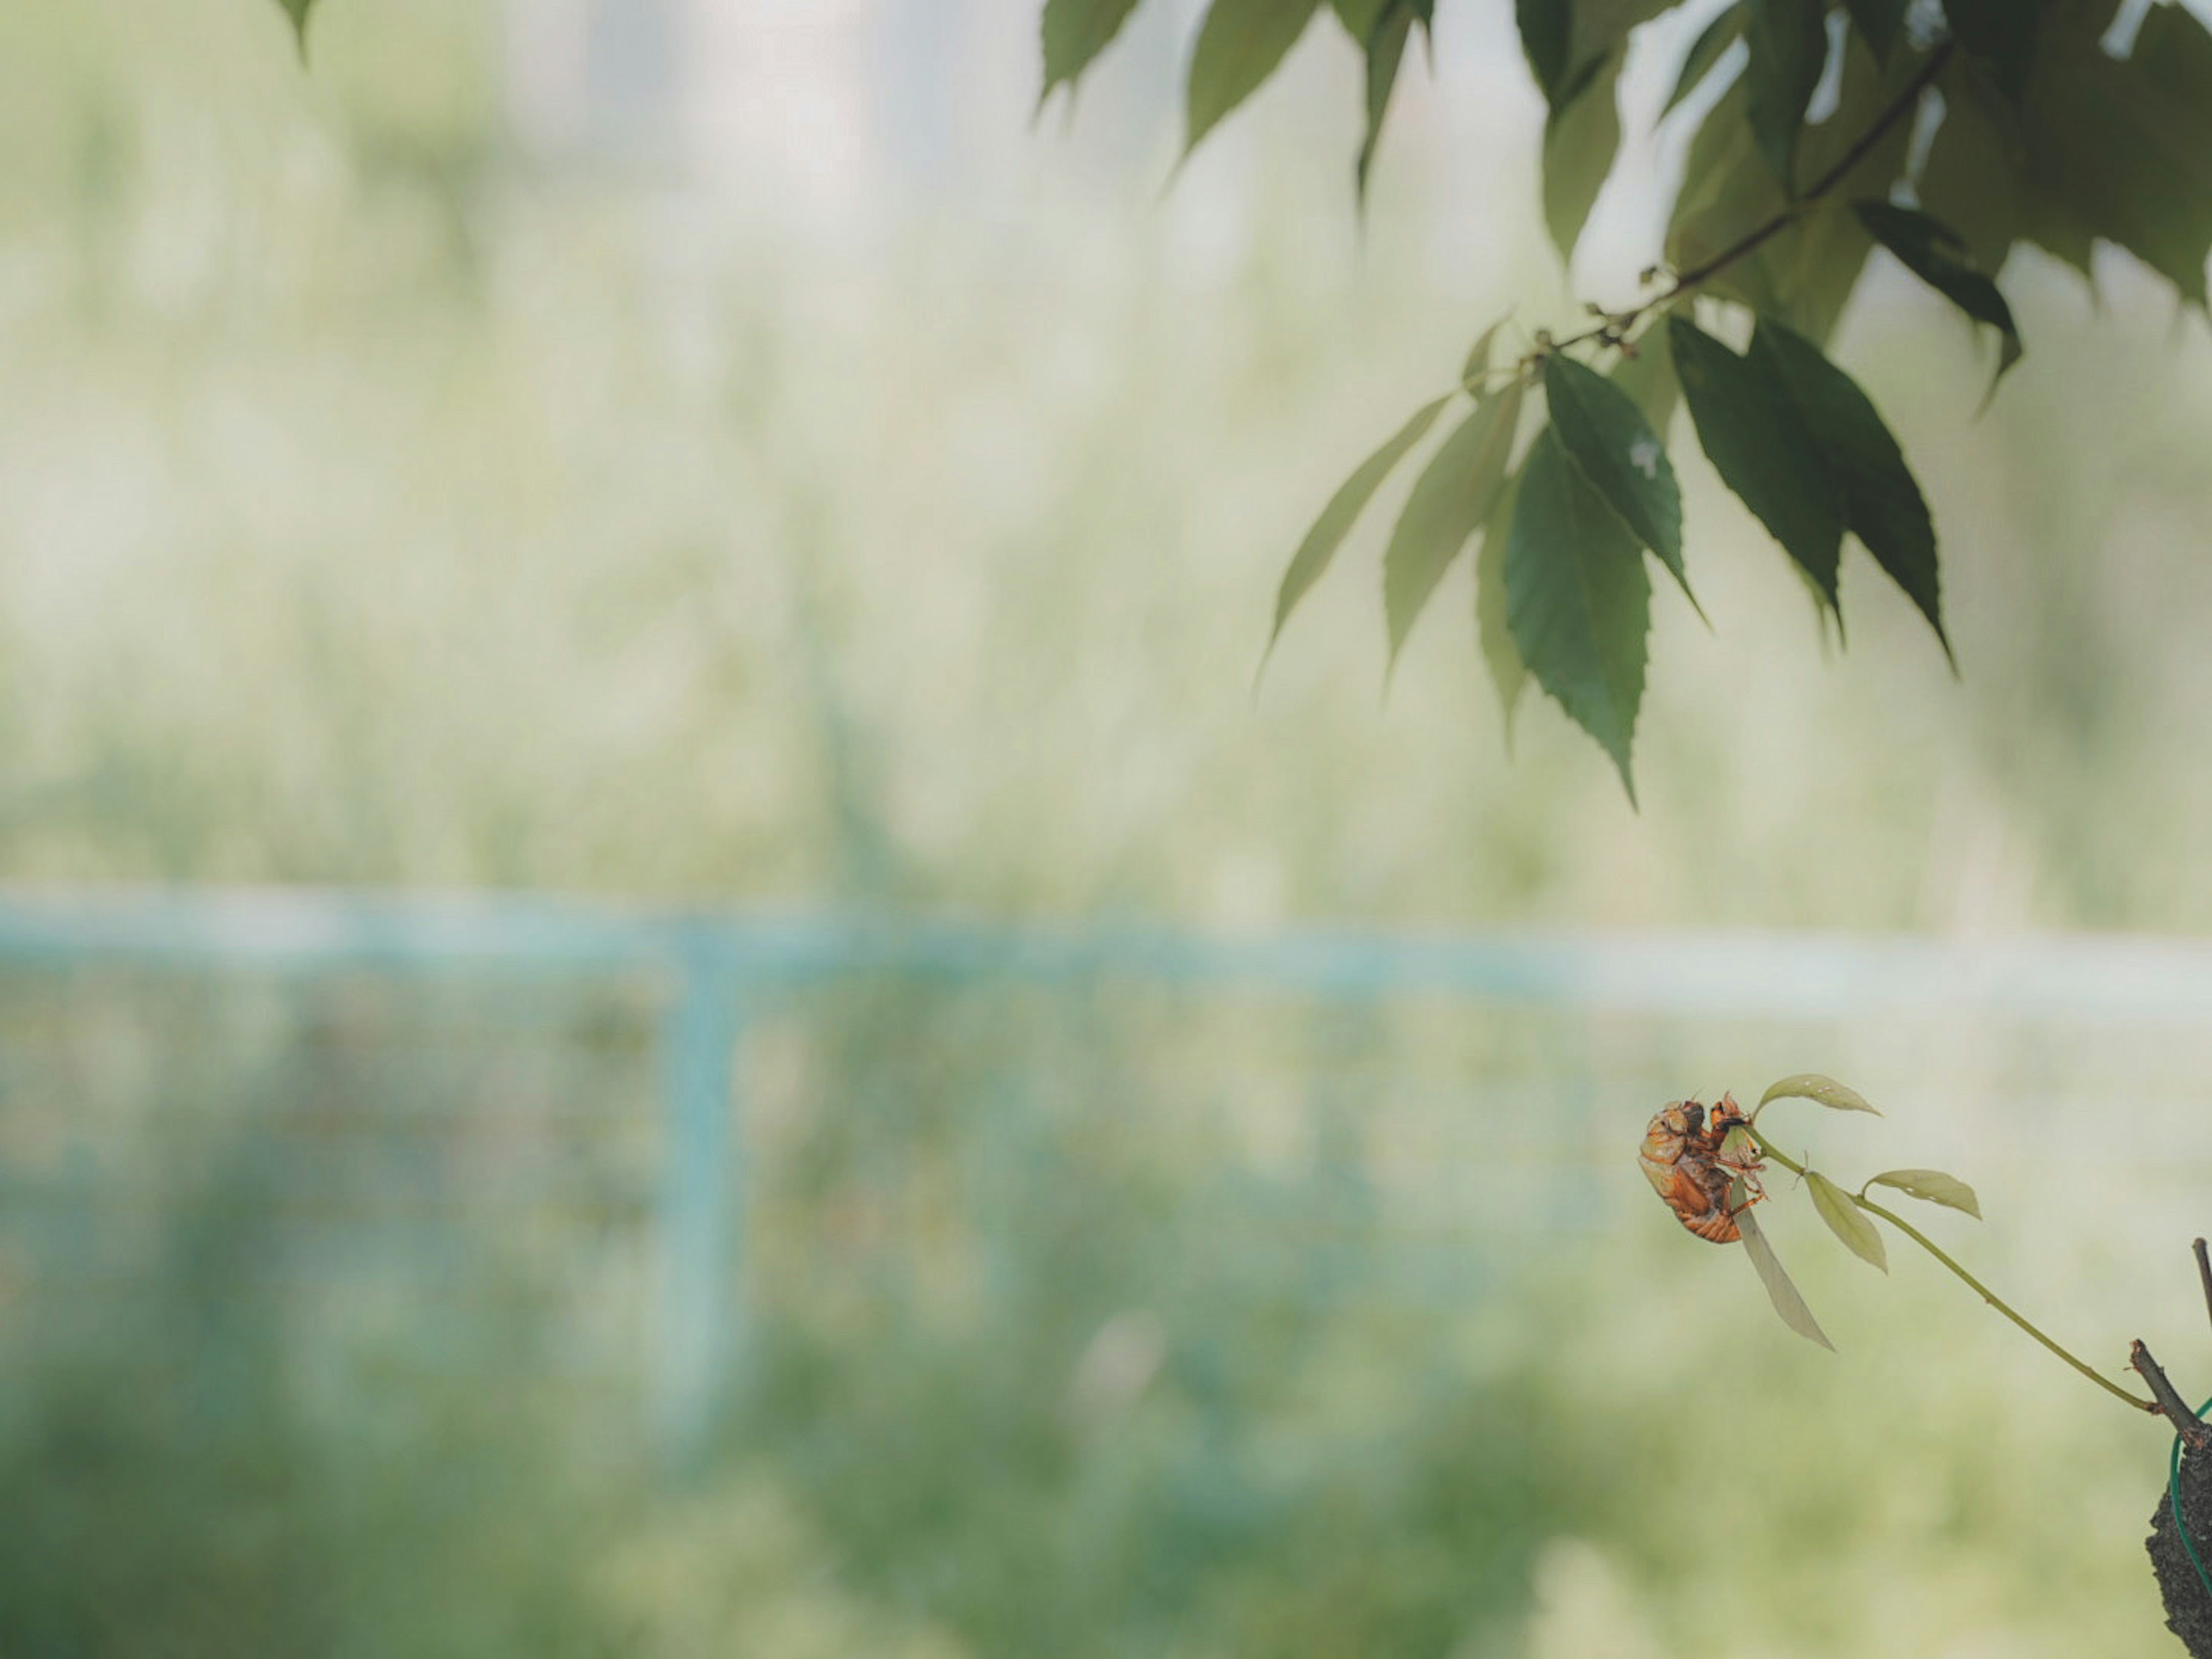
(1578, 601)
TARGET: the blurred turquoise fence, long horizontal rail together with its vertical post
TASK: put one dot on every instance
(713, 977)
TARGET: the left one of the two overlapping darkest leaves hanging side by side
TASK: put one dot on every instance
(1757, 441)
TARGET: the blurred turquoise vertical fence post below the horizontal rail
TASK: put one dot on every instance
(698, 1322)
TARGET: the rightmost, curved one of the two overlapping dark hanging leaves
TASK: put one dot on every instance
(1881, 501)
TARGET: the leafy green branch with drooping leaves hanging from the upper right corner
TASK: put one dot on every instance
(2045, 132)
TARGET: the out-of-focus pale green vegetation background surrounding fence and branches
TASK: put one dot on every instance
(727, 459)
